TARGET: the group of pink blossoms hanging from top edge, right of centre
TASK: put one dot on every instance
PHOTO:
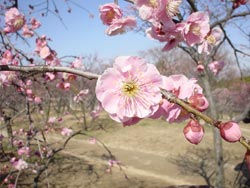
(165, 27)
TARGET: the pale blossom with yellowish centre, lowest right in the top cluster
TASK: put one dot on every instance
(212, 39)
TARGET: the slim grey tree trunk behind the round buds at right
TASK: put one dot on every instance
(220, 179)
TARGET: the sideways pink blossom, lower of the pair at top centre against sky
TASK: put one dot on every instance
(121, 25)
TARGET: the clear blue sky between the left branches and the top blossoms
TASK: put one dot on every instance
(82, 35)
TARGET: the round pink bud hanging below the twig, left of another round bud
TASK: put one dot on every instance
(193, 132)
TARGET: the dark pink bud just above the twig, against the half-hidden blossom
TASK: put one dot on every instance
(199, 102)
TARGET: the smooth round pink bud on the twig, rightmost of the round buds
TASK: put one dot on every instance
(230, 131)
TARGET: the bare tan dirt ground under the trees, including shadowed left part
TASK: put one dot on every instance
(146, 154)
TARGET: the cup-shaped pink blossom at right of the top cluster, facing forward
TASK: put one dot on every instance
(195, 28)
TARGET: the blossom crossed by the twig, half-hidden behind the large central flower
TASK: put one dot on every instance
(181, 87)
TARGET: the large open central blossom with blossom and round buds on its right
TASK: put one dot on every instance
(132, 90)
